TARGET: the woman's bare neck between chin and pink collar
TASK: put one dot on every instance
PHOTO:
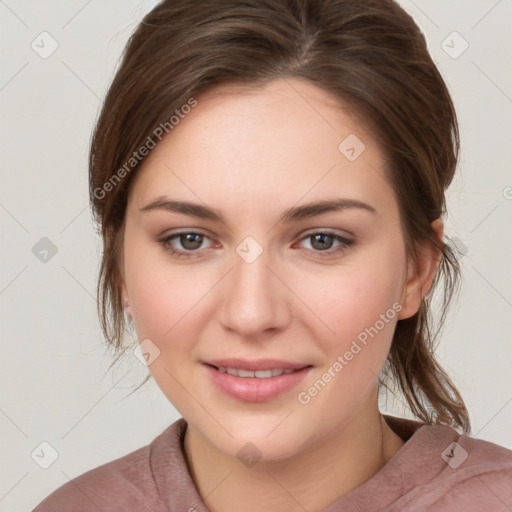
(312, 479)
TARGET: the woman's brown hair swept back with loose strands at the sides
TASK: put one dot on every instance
(368, 53)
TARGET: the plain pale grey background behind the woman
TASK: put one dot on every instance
(55, 386)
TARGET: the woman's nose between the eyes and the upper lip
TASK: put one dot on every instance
(255, 298)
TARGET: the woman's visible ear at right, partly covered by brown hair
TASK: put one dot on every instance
(420, 276)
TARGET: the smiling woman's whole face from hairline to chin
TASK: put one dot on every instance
(317, 291)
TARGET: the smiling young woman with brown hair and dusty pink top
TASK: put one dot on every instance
(269, 178)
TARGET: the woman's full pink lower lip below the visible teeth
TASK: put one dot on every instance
(253, 389)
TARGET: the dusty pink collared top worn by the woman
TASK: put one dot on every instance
(437, 469)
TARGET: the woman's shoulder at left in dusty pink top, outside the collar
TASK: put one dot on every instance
(122, 484)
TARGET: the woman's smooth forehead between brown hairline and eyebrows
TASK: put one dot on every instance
(257, 148)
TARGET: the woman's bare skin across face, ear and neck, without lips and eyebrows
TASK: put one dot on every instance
(251, 155)
